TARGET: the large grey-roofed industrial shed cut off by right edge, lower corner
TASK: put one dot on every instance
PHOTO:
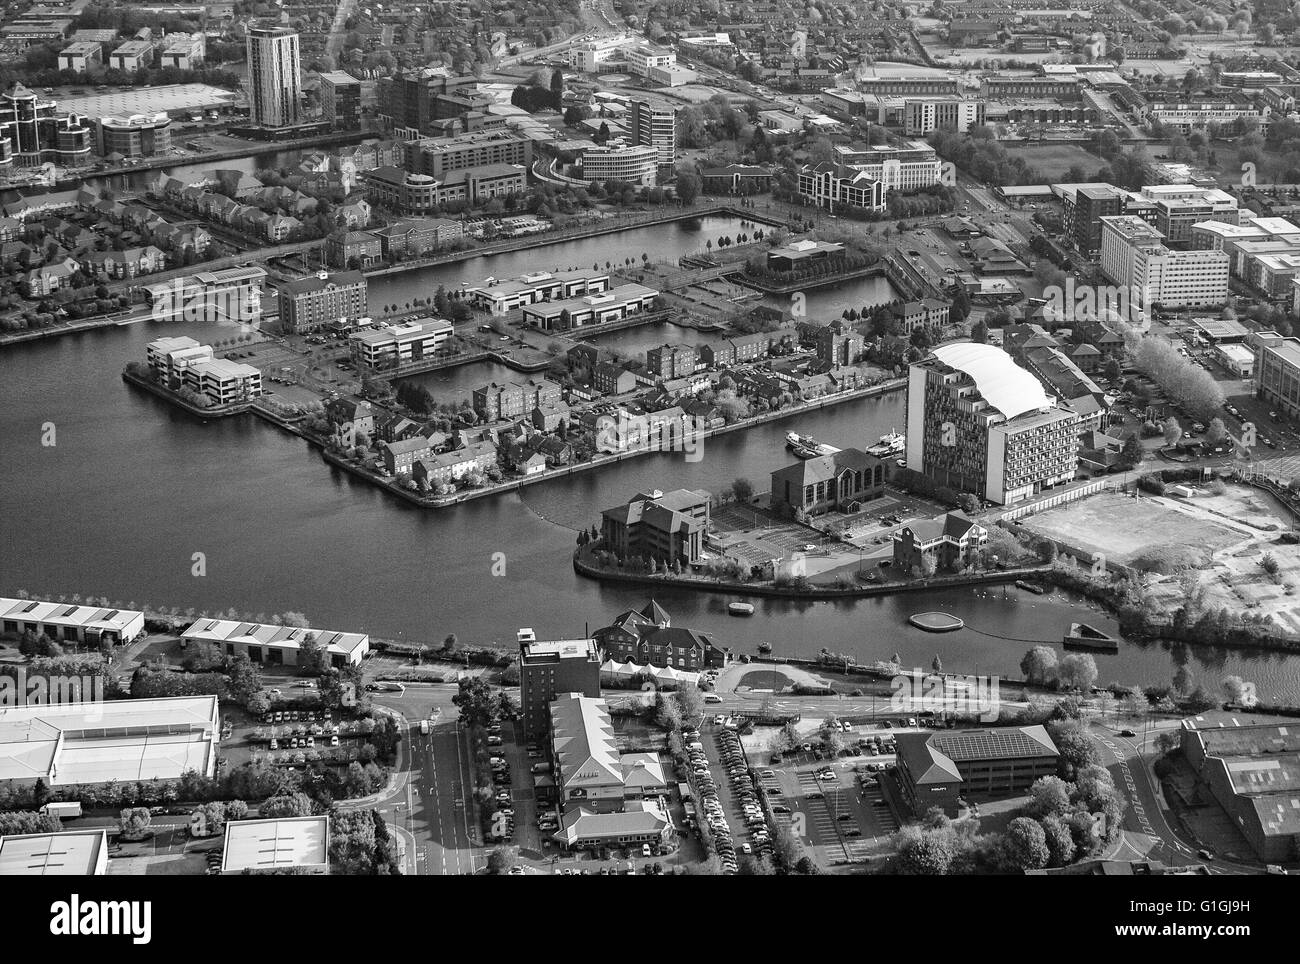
(1251, 766)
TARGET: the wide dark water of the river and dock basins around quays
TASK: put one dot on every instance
(132, 490)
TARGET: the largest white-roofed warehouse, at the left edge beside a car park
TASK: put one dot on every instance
(125, 741)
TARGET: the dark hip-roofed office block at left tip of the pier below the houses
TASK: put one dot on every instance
(669, 528)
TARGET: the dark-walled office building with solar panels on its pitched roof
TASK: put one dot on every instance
(938, 770)
